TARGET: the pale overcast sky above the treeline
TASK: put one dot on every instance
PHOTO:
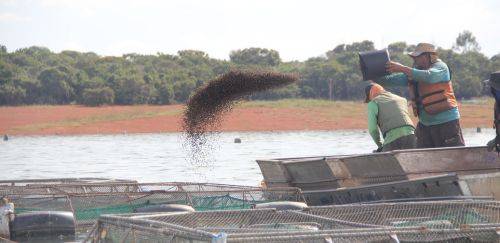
(298, 29)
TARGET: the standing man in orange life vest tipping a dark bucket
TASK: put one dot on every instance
(432, 97)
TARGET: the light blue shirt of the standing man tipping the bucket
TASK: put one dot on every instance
(437, 73)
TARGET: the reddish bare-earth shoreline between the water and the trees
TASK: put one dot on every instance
(254, 116)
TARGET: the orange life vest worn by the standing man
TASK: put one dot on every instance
(433, 98)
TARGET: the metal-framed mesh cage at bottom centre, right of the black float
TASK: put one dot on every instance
(207, 226)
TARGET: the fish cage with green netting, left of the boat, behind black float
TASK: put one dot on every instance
(122, 198)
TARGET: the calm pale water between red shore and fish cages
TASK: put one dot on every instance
(161, 157)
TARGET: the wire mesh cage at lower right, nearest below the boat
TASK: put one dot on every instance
(428, 214)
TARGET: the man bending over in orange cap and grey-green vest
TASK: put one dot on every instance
(388, 113)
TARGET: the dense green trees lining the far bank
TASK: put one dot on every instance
(35, 75)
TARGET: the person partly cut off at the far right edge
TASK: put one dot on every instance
(494, 83)
